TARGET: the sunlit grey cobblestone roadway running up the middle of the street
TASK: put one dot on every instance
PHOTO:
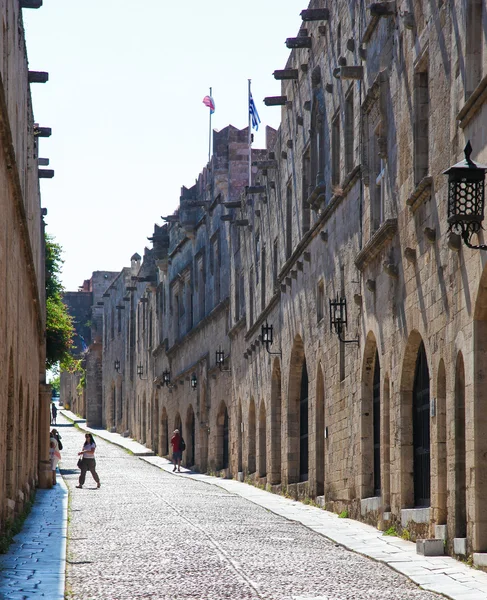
(149, 534)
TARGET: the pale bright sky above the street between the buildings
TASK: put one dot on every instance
(124, 101)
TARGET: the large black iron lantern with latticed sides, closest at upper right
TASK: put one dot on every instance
(466, 198)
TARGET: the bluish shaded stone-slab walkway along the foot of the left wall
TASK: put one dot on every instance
(34, 566)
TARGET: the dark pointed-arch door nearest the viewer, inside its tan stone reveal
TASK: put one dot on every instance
(421, 430)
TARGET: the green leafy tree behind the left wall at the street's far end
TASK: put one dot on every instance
(59, 325)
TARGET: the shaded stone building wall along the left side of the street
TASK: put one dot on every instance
(24, 394)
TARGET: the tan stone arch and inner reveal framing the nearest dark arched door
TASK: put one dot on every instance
(408, 468)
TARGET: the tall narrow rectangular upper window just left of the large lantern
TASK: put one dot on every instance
(421, 125)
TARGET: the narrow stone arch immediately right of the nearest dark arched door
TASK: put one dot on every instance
(439, 464)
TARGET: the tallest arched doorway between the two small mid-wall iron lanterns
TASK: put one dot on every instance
(293, 417)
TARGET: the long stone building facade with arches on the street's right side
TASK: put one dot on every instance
(381, 413)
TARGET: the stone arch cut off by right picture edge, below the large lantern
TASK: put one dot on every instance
(478, 400)
